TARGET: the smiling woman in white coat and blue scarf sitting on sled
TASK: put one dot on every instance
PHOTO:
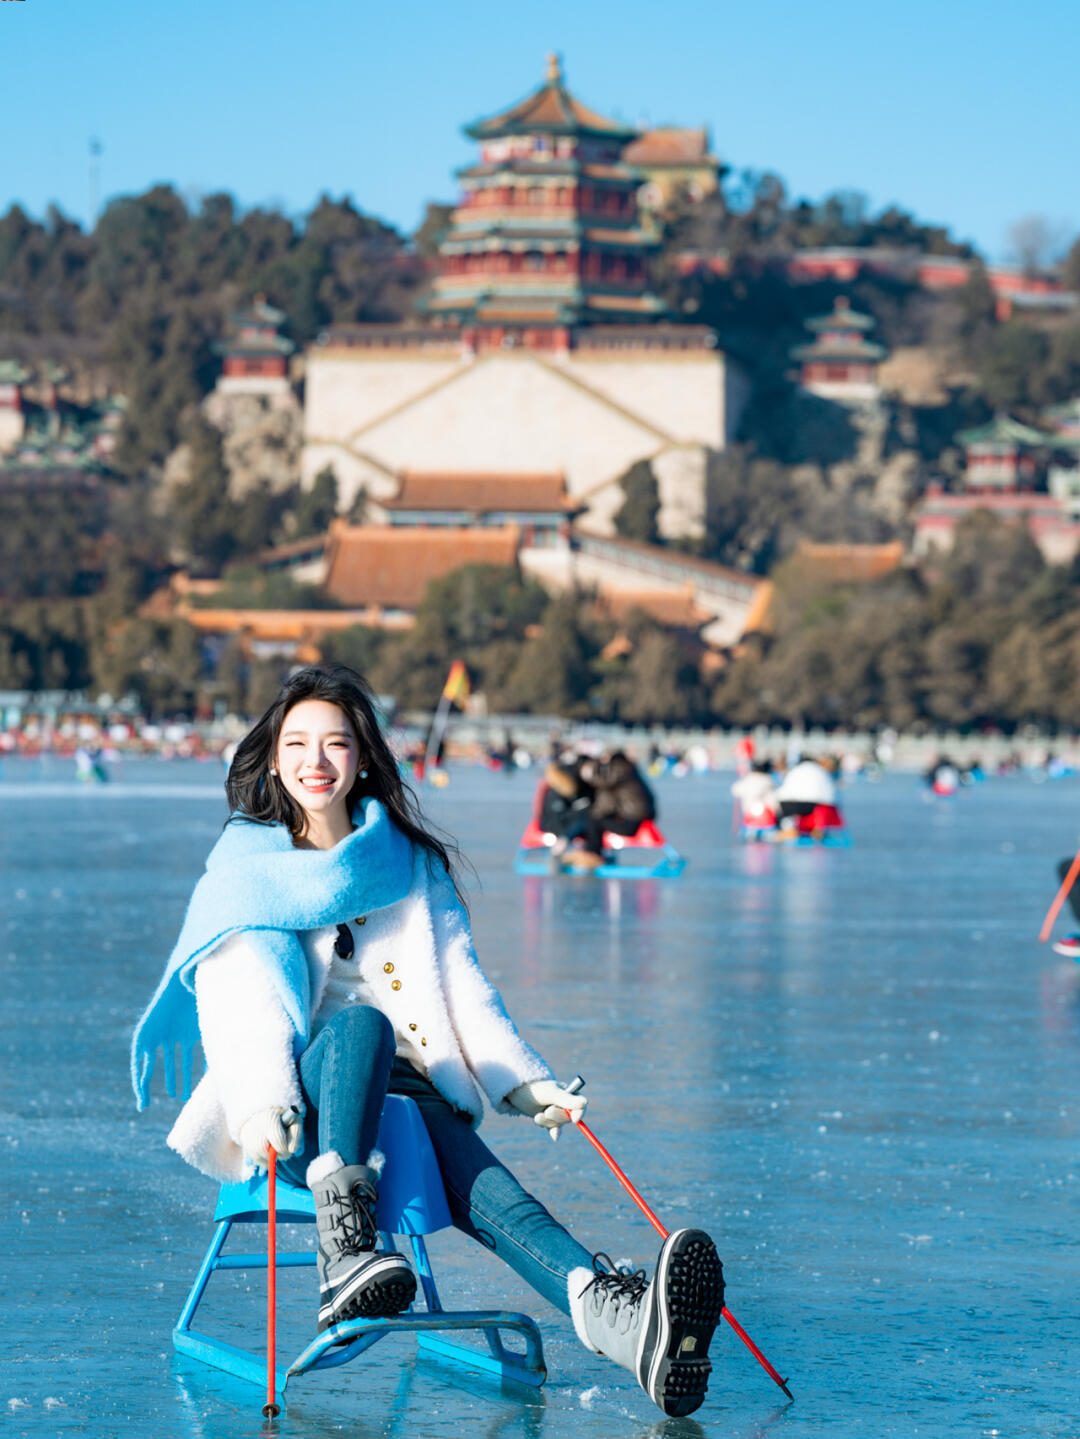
(326, 962)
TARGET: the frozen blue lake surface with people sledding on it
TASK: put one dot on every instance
(856, 1068)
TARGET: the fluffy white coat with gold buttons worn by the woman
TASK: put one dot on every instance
(425, 945)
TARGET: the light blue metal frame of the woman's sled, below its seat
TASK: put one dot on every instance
(346, 1342)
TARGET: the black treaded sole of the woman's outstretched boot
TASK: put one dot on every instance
(688, 1299)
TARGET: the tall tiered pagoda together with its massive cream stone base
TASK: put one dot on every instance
(540, 349)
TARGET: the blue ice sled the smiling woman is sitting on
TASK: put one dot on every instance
(412, 1202)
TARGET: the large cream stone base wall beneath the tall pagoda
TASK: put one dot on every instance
(373, 415)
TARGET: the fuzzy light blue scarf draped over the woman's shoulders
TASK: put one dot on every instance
(257, 881)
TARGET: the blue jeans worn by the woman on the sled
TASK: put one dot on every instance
(346, 1076)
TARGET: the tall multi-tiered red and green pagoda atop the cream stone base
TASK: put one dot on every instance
(547, 237)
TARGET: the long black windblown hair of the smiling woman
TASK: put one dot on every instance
(257, 795)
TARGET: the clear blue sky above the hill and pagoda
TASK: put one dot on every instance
(966, 113)
